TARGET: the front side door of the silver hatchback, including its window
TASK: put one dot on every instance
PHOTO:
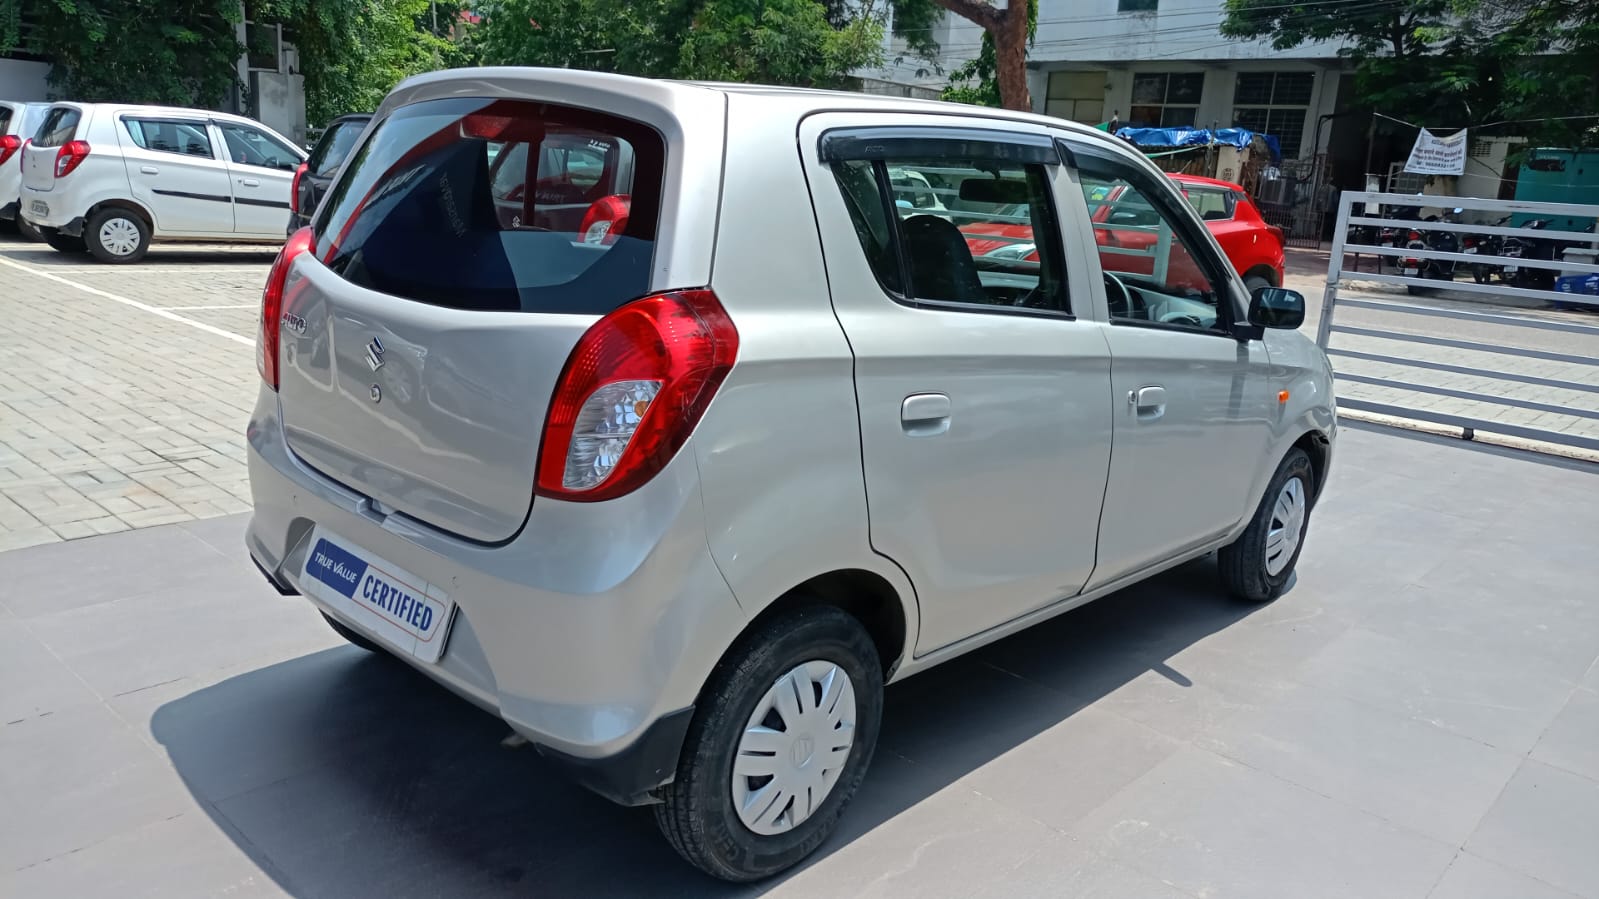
(1194, 402)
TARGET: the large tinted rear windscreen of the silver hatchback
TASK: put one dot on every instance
(490, 204)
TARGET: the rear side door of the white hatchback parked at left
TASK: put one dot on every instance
(175, 172)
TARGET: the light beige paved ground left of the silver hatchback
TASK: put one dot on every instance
(113, 414)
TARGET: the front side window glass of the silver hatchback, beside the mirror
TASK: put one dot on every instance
(1154, 271)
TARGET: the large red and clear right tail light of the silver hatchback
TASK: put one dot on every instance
(632, 393)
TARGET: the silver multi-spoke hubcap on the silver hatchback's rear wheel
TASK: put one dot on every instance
(794, 748)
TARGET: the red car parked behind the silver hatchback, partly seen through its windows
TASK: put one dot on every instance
(1253, 246)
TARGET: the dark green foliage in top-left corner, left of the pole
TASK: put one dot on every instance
(164, 52)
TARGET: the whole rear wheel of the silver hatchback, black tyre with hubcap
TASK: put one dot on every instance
(708, 807)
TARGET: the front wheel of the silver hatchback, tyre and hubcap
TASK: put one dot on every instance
(1261, 562)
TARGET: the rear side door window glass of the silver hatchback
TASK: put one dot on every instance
(957, 231)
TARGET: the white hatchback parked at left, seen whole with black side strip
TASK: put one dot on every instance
(111, 178)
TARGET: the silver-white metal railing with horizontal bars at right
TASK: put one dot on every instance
(1504, 372)
